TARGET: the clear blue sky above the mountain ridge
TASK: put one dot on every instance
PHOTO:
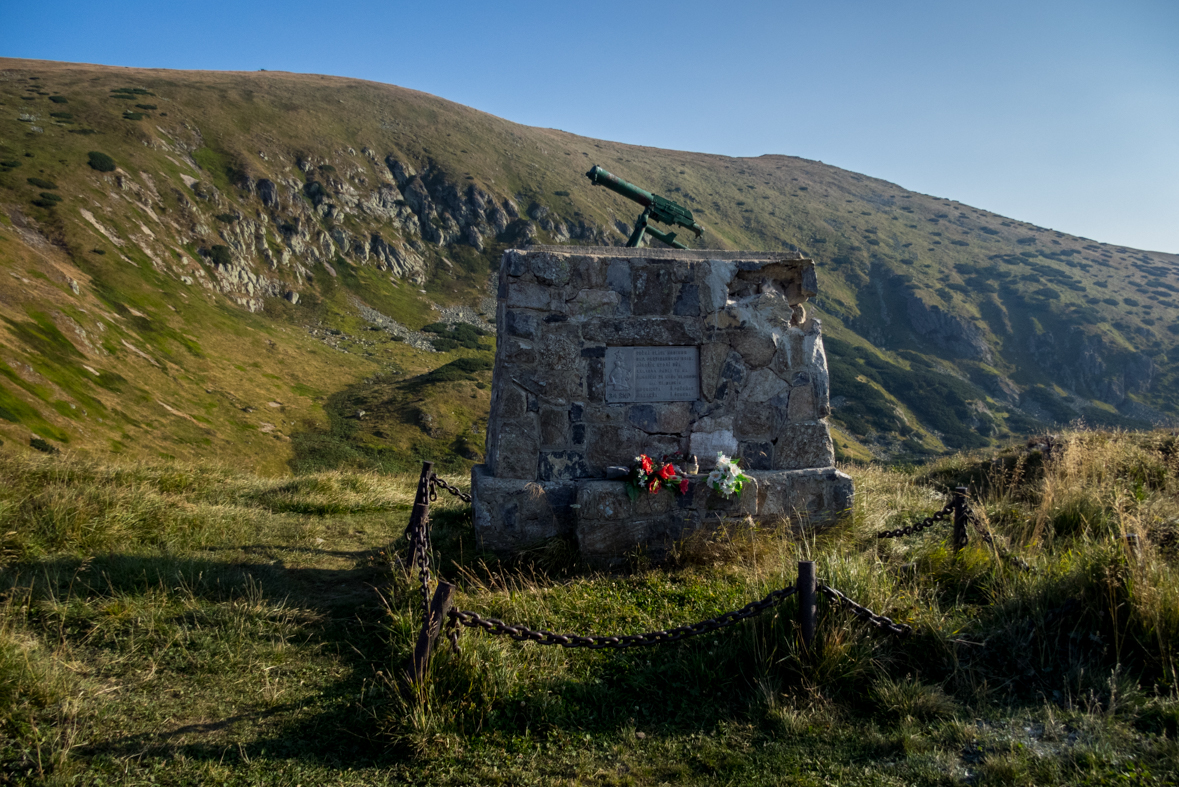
(1063, 114)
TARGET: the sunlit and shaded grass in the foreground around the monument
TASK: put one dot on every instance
(189, 625)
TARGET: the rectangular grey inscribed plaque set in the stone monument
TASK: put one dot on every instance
(653, 374)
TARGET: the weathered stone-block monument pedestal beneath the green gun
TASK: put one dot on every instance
(608, 353)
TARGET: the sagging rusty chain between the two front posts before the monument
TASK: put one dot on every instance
(525, 634)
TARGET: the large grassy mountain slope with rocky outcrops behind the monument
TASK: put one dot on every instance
(240, 267)
